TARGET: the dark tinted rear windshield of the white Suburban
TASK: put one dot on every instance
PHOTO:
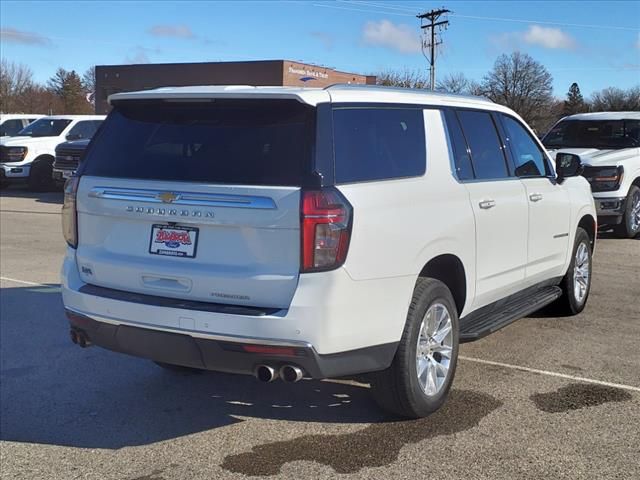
(266, 142)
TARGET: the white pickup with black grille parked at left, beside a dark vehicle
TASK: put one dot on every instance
(29, 155)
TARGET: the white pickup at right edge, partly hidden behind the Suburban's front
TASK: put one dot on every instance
(608, 144)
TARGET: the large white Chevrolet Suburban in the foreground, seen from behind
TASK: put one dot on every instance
(292, 233)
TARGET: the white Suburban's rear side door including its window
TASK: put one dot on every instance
(499, 206)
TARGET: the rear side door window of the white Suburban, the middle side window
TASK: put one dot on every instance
(482, 137)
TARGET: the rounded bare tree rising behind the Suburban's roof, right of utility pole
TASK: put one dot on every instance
(522, 84)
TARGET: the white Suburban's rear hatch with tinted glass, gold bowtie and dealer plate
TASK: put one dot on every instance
(197, 200)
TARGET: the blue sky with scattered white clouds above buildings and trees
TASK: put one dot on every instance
(596, 44)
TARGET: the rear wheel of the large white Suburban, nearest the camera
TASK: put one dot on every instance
(398, 389)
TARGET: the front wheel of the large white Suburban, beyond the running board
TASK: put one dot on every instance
(573, 302)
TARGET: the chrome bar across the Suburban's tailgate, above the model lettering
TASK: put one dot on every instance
(184, 198)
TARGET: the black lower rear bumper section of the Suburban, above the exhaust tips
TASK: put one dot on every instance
(228, 355)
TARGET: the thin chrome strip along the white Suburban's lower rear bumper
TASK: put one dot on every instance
(197, 333)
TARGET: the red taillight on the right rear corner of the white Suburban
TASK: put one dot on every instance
(325, 226)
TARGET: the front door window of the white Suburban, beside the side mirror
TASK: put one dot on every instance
(528, 158)
